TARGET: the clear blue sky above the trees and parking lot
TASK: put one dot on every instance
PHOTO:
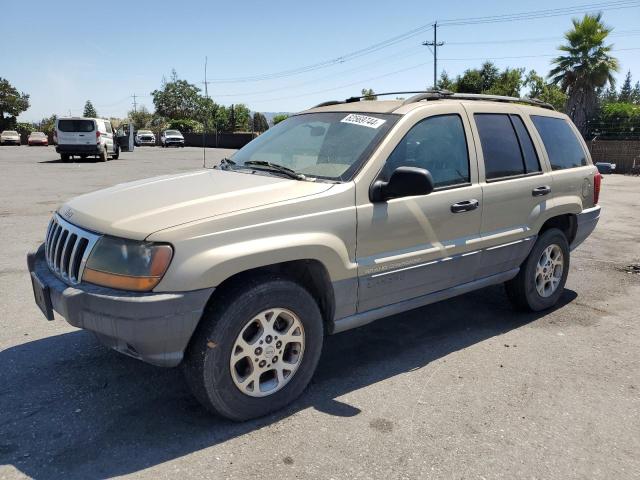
(70, 52)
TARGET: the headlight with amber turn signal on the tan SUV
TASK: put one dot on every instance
(127, 264)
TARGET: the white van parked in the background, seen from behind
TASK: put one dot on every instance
(83, 137)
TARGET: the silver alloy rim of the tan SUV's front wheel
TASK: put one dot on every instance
(267, 352)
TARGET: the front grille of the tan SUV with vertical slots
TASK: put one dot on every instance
(67, 248)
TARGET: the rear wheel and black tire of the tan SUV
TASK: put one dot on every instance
(541, 279)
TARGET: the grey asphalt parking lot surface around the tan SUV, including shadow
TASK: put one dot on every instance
(466, 388)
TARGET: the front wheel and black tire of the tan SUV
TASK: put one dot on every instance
(256, 348)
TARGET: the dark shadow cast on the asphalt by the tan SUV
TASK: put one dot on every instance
(70, 408)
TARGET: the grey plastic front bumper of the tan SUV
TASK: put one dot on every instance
(153, 327)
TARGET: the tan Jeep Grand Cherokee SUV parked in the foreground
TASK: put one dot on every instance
(338, 216)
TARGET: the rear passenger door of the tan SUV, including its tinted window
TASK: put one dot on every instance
(516, 186)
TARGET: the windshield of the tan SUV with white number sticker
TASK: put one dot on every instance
(329, 145)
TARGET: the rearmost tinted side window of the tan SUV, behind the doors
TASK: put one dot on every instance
(563, 147)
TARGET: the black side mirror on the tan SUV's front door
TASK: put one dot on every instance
(404, 182)
